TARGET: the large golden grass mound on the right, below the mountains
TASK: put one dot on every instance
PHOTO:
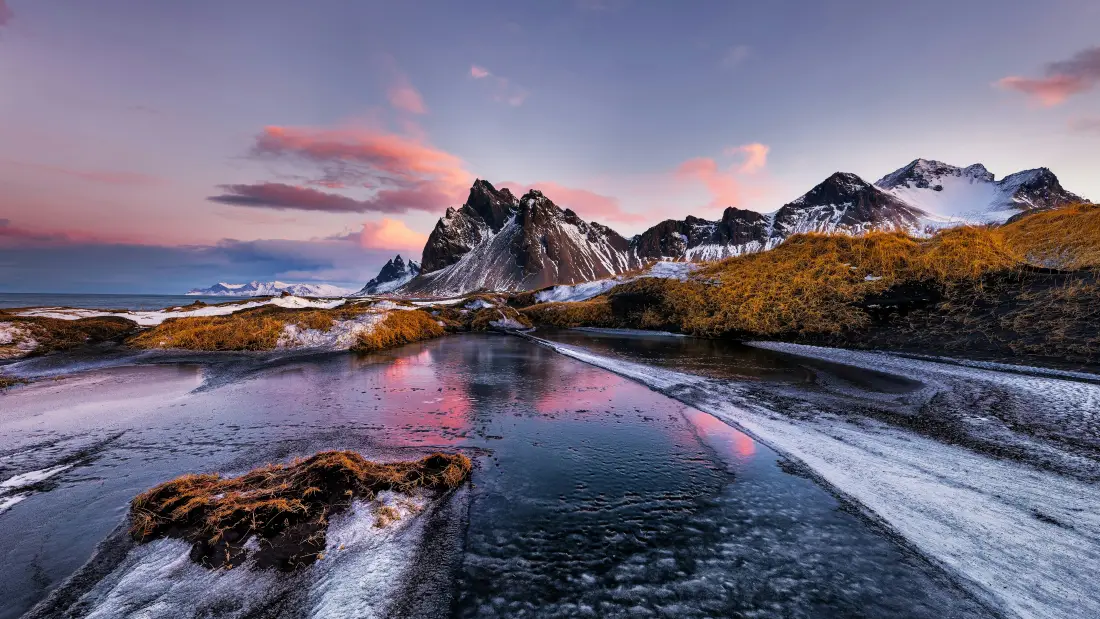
(809, 285)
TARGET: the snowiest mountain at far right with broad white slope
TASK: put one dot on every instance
(952, 195)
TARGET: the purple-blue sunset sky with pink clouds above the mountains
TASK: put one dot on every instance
(159, 147)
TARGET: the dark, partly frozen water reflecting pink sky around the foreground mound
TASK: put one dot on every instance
(592, 495)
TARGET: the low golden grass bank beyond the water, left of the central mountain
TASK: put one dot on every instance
(258, 329)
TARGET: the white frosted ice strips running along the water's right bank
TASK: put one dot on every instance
(1025, 538)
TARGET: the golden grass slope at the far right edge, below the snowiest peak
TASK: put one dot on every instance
(1068, 239)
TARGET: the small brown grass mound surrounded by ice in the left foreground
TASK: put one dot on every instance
(287, 509)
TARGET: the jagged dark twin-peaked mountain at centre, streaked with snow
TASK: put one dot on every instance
(498, 242)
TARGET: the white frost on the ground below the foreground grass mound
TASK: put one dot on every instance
(370, 559)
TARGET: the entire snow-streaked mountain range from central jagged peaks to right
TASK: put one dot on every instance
(500, 242)
